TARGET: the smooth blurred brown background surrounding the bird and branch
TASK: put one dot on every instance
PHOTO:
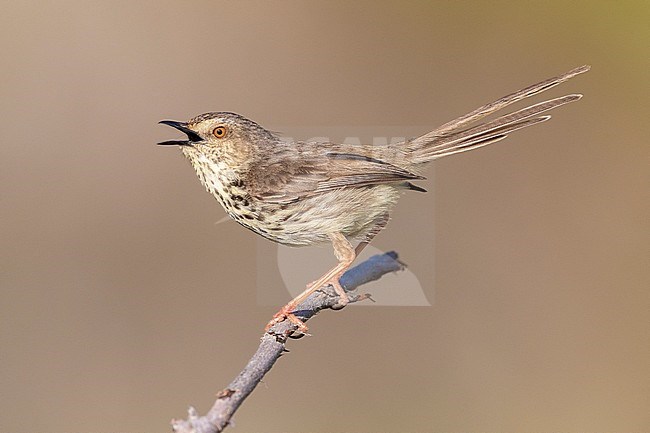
(122, 302)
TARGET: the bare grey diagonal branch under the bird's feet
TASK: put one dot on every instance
(273, 343)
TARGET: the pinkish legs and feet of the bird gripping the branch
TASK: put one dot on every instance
(345, 255)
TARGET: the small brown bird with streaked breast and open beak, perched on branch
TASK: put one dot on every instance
(303, 193)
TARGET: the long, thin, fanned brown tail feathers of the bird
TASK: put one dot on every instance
(457, 136)
